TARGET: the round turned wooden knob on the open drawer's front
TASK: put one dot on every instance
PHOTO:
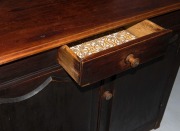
(133, 61)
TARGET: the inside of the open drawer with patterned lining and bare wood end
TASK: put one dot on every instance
(123, 36)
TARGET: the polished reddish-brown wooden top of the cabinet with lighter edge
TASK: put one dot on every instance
(29, 27)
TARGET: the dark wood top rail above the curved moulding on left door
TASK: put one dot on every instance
(18, 87)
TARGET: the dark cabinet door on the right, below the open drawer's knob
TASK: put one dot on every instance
(138, 96)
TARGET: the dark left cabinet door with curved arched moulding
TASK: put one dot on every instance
(52, 104)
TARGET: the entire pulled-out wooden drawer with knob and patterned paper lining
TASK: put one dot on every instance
(100, 58)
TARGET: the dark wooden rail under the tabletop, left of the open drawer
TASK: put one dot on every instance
(29, 66)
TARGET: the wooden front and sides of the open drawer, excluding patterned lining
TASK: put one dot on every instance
(114, 60)
